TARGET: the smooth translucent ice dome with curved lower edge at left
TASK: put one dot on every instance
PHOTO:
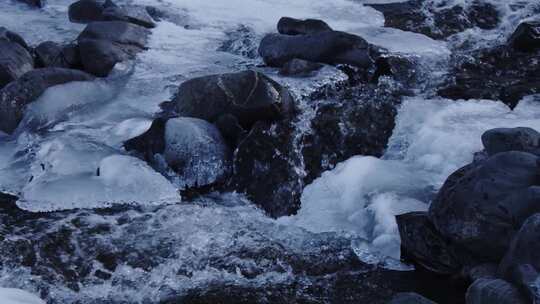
(118, 179)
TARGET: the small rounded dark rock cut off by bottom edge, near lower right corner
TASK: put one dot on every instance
(489, 291)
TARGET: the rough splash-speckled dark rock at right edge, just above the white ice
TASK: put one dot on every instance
(495, 73)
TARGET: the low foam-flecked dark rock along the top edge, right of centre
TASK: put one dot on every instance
(425, 18)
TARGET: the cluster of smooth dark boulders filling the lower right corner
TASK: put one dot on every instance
(486, 213)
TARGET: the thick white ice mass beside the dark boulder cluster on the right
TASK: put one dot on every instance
(432, 138)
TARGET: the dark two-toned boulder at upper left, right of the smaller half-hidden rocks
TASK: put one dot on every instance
(105, 43)
